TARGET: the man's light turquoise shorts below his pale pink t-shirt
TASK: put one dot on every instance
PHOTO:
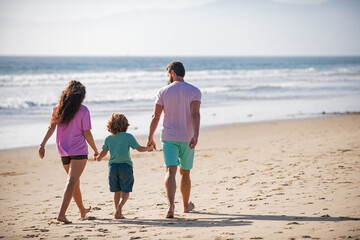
(178, 153)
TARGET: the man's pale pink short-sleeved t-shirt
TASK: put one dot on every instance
(176, 99)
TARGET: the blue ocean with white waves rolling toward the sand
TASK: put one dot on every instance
(234, 90)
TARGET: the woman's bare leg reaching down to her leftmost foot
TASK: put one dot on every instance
(75, 170)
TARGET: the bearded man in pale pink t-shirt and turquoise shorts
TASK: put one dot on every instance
(180, 102)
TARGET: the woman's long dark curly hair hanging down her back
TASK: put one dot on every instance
(69, 104)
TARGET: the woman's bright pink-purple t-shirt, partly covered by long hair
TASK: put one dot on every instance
(70, 138)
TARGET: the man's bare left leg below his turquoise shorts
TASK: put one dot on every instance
(170, 188)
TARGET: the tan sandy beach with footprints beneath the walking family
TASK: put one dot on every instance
(295, 179)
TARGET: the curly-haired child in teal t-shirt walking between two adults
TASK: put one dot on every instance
(121, 178)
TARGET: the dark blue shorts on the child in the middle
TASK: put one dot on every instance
(121, 177)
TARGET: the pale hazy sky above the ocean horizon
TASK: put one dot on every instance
(180, 27)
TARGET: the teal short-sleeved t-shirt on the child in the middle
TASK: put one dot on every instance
(118, 145)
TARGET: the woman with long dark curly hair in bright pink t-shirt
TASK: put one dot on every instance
(73, 123)
